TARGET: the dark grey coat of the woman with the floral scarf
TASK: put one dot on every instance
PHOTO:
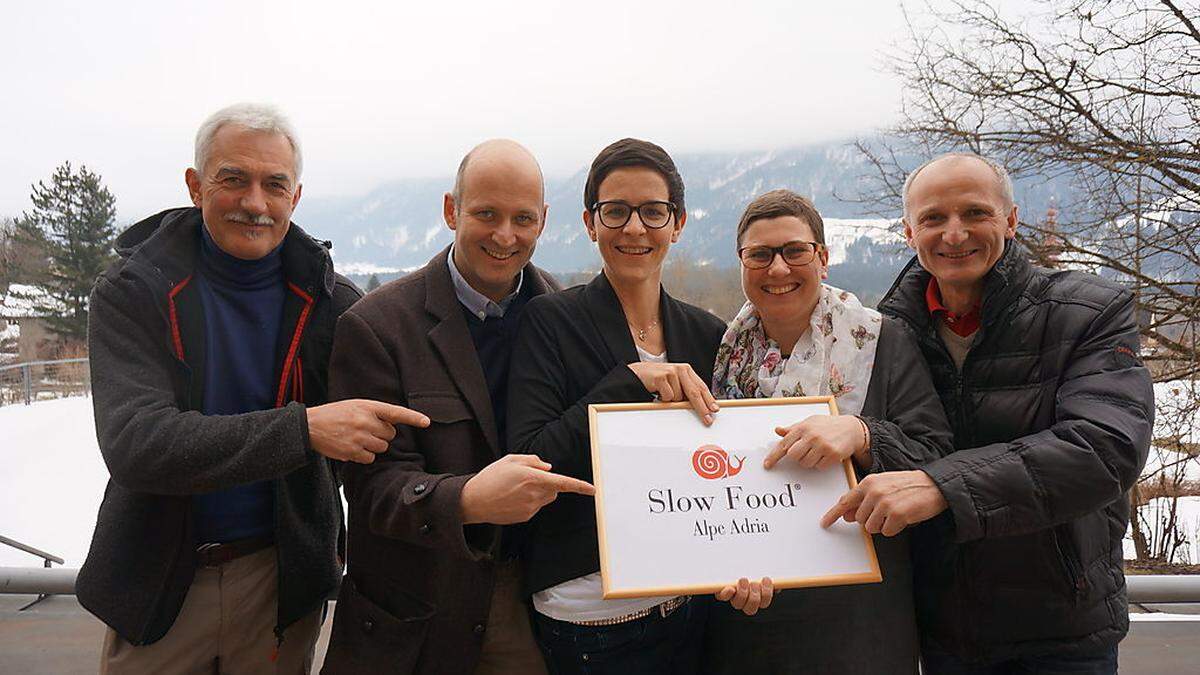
(866, 629)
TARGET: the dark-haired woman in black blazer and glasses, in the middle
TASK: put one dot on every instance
(619, 339)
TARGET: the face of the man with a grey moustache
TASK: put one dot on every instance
(247, 190)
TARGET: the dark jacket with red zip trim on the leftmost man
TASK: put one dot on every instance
(146, 338)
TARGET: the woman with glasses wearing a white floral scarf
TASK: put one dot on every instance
(799, 337)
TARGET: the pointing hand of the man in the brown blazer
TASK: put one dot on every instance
(513, 489)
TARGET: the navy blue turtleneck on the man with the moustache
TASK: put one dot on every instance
(243, 306)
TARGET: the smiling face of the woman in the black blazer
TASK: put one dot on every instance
(634, 254)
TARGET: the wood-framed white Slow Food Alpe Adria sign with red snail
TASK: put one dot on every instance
(687, 509)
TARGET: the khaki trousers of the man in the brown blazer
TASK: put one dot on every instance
(509, 647)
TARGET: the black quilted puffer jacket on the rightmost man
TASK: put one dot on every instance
(1052, 420)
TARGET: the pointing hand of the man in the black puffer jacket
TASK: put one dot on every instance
(889, 503)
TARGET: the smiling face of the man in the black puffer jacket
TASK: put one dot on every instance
(958, 222)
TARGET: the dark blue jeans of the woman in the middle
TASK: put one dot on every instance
(653, 646)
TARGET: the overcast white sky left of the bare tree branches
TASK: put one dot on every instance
(382, 93)
